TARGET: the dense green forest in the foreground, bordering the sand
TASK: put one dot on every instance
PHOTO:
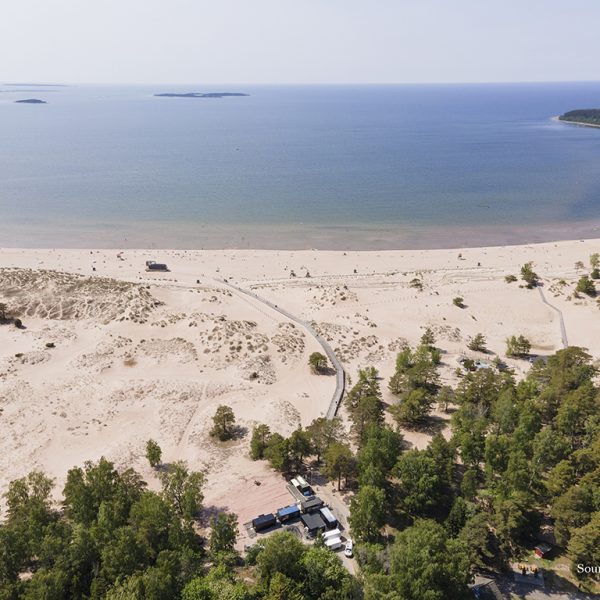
(523, 456)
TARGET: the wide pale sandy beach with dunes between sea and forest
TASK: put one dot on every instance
(154, 359)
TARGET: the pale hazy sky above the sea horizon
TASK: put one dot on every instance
(298, 41)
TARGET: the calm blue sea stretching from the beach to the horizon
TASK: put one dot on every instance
(325, 166)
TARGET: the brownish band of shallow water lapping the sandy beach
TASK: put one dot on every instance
(290, 237)
